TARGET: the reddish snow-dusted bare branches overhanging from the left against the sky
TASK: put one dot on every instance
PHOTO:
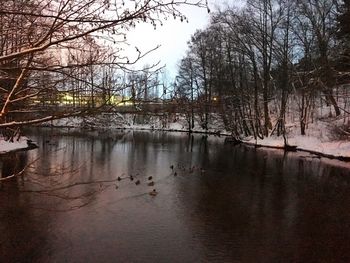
(50, 46)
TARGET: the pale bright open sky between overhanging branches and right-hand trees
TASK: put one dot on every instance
(172, 36)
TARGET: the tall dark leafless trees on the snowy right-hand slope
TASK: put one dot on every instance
(251, 61)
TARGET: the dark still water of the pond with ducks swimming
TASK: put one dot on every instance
(226, 204)
